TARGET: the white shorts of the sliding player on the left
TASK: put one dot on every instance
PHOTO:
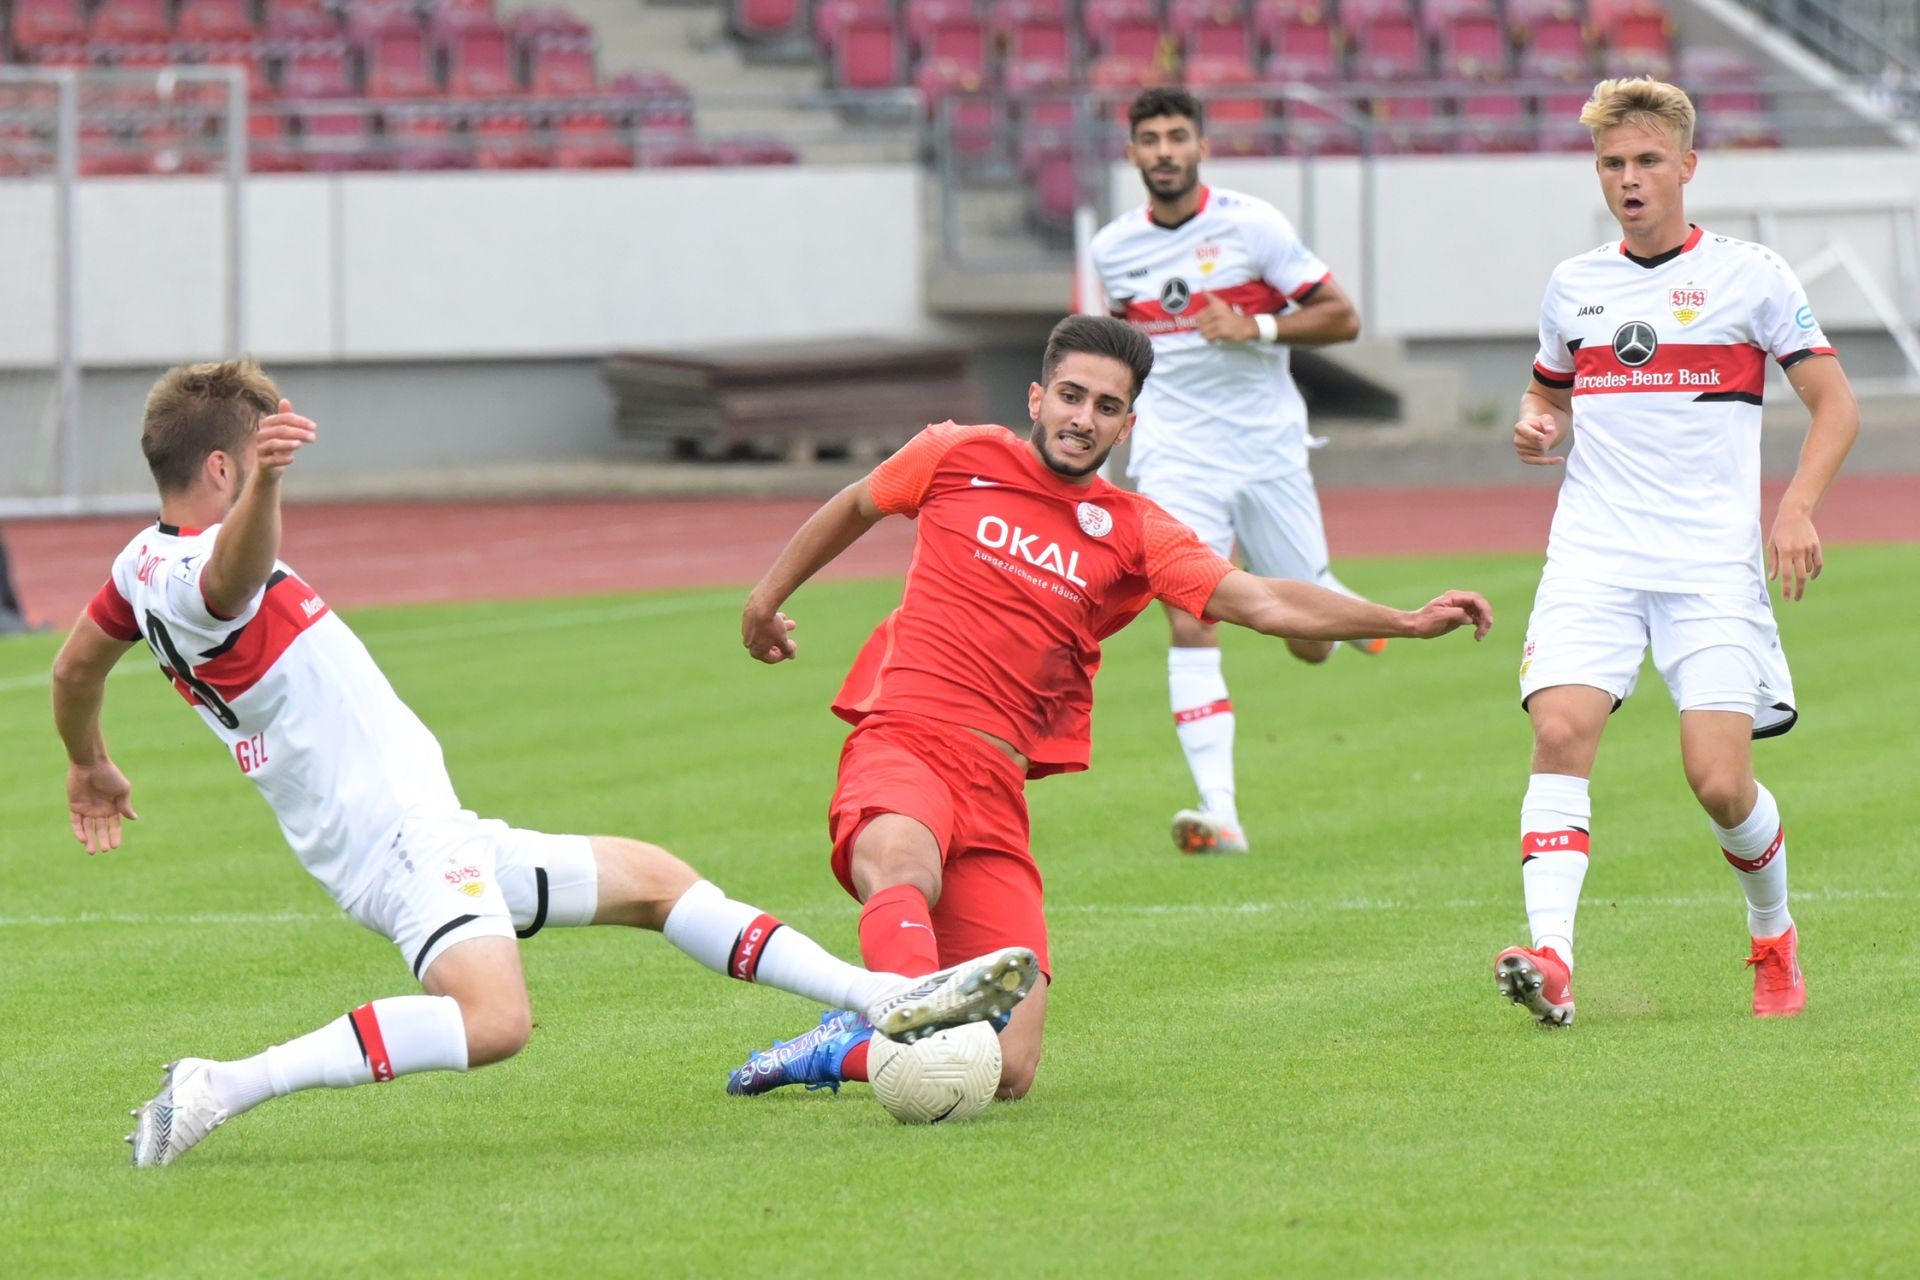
(456, 876)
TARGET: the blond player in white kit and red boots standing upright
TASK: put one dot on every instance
(1654, 356)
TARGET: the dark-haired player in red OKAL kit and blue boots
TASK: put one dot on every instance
(984, 676)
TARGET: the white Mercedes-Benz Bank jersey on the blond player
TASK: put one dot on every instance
(1668, 364)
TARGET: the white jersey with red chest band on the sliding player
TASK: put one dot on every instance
(293, 694)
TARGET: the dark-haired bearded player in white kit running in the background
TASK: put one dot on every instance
(1224, 287)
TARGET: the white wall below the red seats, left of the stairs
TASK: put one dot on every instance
(471, 266)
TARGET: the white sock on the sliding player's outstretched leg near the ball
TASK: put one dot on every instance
(746, 943)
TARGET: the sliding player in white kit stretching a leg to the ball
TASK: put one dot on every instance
(364, 795)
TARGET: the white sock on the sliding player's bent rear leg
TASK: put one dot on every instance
(377, 1041)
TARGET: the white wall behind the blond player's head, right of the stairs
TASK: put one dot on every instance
(1462, 247)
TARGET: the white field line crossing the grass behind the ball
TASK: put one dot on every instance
(1072, 909)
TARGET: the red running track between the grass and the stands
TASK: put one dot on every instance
(400, 554)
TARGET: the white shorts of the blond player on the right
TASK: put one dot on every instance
(1716, 652)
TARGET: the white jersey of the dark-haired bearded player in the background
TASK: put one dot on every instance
(1212, 408)
